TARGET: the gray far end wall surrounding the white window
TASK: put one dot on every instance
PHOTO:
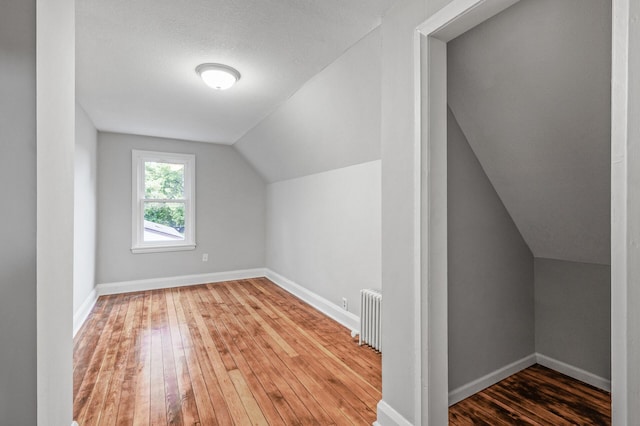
(230, 212)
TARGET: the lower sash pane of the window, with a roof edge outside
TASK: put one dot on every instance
(163, 221)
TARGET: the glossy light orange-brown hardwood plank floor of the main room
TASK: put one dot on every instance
(240, 352)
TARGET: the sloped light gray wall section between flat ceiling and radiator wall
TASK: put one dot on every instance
(333, 121)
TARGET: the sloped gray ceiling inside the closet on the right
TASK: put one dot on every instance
(530, 89)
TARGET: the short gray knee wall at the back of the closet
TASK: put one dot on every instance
(573, 314)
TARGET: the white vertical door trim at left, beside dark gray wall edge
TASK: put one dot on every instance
(55, 146)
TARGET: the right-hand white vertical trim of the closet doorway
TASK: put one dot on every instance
(625, 207)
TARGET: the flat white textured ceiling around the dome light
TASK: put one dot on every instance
(136, 59)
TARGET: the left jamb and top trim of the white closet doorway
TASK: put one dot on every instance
(430, 61)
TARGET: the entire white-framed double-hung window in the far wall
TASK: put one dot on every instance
(163, 201)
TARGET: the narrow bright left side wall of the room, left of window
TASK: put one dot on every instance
(85, 208)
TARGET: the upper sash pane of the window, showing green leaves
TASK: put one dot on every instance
(163, 180)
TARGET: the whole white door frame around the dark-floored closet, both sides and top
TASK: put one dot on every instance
(431, 138)
